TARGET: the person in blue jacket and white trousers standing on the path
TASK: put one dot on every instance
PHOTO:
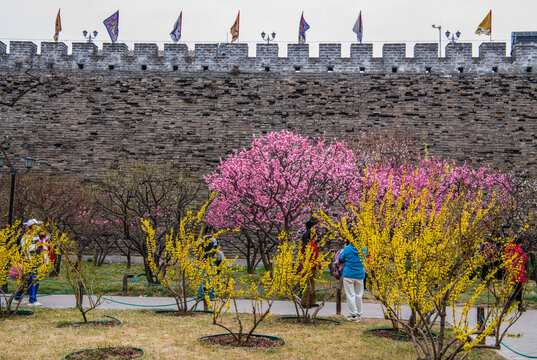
(353, 280)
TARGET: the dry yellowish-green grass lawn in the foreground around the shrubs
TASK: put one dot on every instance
(163, 337)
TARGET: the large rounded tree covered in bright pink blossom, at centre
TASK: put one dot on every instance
(275, 186)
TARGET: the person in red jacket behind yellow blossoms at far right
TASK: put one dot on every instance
(516, 272)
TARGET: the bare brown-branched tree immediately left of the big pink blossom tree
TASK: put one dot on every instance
(160, 194)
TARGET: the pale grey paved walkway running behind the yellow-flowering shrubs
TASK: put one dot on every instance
(526, 326)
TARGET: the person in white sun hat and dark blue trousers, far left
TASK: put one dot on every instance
(31, 246)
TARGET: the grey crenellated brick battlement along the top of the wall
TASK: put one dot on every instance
(232, 57)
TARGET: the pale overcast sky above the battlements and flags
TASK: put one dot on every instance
(205, 21)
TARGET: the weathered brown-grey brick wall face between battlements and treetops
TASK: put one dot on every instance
(91, 120)
